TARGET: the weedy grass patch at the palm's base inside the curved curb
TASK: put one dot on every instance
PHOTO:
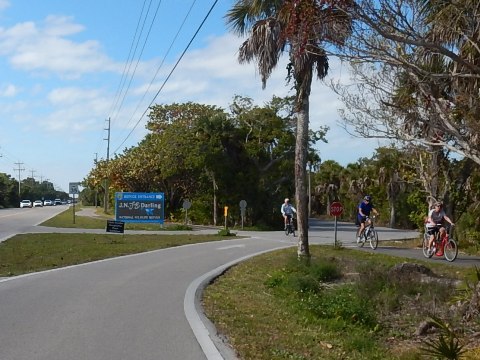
(343, 304)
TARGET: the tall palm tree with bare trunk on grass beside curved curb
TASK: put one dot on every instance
(299, 28)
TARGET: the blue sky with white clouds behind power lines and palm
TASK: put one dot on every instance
(68, 66)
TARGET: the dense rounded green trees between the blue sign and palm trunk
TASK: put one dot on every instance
(202, 153)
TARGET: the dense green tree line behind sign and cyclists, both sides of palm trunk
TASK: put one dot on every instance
(216, 158)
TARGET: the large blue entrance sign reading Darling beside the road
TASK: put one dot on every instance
(139, 207)
